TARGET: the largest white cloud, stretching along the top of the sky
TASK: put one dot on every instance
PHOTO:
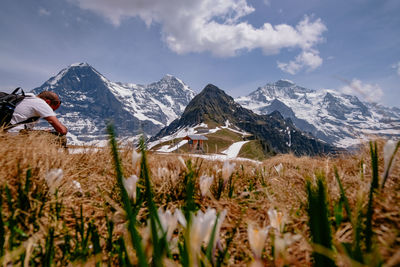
(215, 26)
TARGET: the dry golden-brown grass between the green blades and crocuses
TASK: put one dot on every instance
(257, 187)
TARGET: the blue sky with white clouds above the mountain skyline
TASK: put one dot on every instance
(238, 45)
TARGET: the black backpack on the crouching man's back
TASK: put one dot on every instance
(8, 102)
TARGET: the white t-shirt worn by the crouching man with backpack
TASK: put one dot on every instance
(30, 106)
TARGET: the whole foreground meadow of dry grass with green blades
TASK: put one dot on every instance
(90, 223)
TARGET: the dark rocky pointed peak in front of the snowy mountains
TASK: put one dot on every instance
(277, 135)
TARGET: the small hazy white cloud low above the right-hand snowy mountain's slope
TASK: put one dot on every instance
(368, 92)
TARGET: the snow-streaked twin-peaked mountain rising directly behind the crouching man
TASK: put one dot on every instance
(89, 100)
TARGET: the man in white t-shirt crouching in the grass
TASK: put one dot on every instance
(32, 108)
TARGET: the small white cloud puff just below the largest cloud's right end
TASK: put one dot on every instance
(309, 60)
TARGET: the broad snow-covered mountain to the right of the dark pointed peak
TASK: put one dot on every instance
(339, 119)
